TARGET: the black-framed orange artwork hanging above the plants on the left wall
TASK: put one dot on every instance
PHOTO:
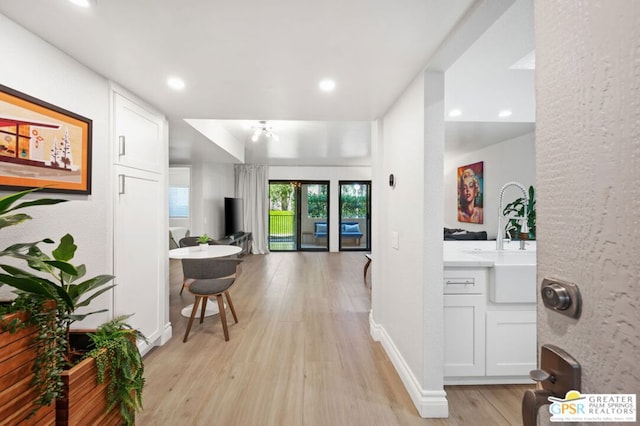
(42, 145)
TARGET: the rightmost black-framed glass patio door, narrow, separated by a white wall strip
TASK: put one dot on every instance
(355, 216)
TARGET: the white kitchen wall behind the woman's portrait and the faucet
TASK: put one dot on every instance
(506, 161)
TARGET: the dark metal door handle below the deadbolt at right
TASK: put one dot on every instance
(558, 374)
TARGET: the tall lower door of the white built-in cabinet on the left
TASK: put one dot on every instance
(139, 239)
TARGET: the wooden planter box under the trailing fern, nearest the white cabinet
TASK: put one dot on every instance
(84, 401)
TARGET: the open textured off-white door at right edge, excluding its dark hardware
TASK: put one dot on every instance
(588, 157)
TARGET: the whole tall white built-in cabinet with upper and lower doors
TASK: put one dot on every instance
(140, 169)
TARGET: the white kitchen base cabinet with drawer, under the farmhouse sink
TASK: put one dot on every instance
(485, 342)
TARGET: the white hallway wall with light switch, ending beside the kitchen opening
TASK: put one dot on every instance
(399, 318)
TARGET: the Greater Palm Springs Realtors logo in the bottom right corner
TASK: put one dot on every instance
(576, 407)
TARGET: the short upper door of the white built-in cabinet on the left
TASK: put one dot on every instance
(138, 135)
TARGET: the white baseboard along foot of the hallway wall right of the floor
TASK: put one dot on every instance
(429, 403)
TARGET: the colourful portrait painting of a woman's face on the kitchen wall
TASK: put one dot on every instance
(470, 191)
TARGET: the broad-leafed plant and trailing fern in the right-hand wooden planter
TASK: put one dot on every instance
(55, 278)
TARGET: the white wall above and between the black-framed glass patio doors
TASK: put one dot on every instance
(331, 174)
